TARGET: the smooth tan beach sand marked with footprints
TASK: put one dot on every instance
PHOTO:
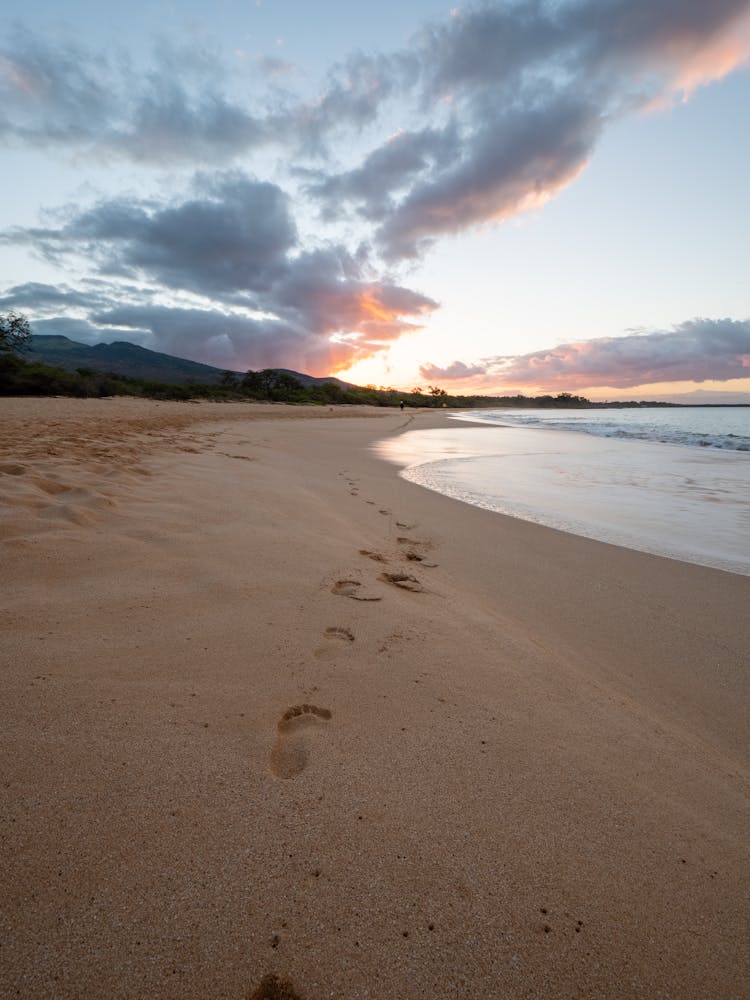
(268, 709)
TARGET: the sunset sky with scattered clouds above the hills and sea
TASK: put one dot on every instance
(534, 196)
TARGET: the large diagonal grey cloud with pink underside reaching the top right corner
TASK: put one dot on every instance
(524, 90)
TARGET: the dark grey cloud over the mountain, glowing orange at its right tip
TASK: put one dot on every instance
(233, 242)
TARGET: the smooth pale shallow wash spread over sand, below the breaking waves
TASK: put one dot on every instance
(653, 497)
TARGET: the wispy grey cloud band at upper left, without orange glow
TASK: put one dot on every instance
(180, 109)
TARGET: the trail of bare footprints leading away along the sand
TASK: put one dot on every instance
(301, 725)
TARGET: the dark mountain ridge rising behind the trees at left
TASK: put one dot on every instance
(137, 362)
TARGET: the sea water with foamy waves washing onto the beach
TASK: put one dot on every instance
(674, 482)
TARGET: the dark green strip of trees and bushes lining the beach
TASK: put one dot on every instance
(22, 377)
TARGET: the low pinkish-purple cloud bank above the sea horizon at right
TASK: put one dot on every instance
(697, 350)
